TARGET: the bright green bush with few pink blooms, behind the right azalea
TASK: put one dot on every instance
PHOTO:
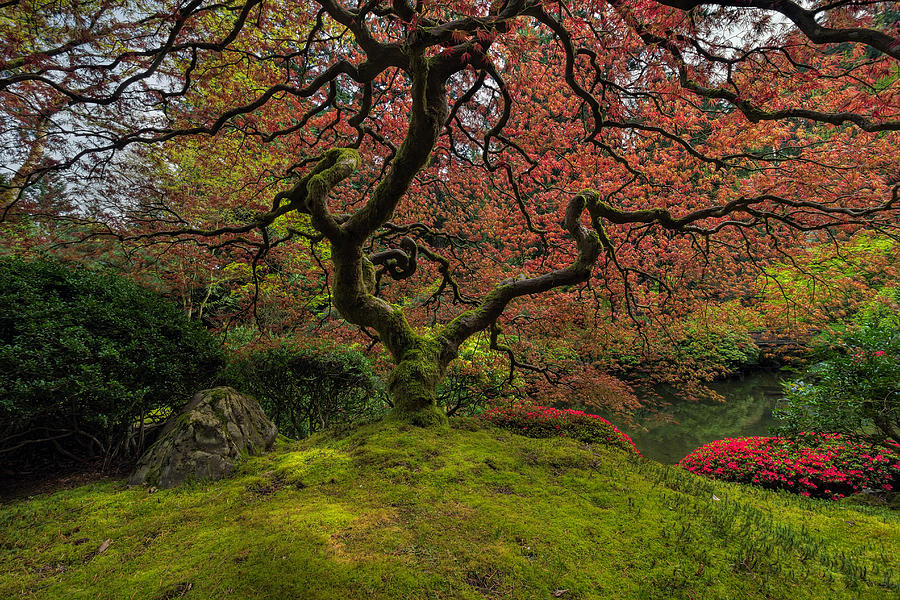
(854, 388)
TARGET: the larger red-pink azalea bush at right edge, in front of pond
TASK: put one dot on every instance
(816, 465)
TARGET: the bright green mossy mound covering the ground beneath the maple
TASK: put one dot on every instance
(394, 511)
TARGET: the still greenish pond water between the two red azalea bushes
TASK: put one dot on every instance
(666, 434)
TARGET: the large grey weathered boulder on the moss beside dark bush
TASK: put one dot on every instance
(205, 439)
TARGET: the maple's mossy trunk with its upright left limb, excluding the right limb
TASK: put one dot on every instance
(420, 361)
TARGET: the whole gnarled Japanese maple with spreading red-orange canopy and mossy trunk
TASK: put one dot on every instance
(458, 158)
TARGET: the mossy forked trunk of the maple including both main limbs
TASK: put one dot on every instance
(420, 360)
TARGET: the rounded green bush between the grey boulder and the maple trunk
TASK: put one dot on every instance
(305, 390)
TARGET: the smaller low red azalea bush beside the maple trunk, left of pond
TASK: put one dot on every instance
(543, 421)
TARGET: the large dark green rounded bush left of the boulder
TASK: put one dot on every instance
(85, 355)
